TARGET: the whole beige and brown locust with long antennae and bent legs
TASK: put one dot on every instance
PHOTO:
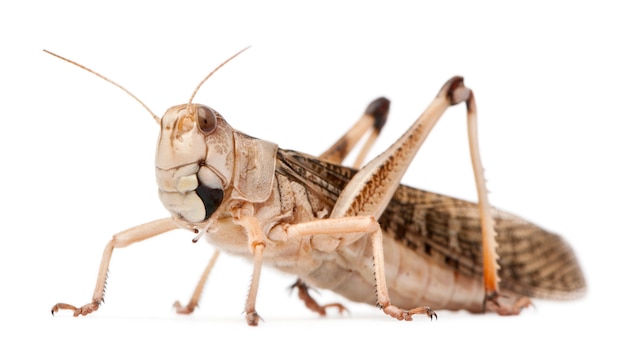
(352, 229)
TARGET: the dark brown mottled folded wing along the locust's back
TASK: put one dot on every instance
(533, 262)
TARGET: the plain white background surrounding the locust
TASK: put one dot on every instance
(78, 153)
